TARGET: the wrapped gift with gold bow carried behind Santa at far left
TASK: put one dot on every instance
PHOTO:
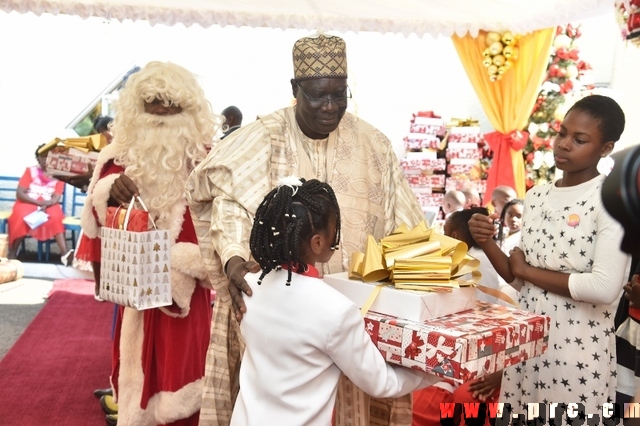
(73, 156)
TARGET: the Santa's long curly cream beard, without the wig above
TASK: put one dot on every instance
(159, 160)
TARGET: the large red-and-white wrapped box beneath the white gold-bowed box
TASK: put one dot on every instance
(464, 345)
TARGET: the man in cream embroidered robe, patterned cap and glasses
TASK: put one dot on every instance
(315, 139)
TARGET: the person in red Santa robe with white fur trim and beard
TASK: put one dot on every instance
(164, 126)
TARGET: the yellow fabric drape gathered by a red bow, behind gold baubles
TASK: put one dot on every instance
(508, 102)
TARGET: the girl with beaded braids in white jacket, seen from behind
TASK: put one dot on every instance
(300, 333)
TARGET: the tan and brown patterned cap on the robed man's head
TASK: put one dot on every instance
(319, 56)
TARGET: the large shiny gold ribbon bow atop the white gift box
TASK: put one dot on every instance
(416, 259)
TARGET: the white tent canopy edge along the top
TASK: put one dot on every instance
(433, 17)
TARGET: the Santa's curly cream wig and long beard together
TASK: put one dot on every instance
(159, 151)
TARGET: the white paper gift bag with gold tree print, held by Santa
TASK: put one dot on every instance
(135, 266)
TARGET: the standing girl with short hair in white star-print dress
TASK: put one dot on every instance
(569, 266)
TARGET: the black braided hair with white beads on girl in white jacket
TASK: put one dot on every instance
(292, 212)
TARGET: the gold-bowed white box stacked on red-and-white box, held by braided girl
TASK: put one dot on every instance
(416, 290)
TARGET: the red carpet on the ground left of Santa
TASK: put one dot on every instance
(48, 376)
